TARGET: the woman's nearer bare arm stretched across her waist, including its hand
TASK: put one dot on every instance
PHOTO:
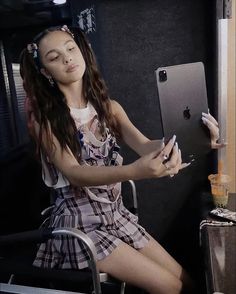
(147, 166)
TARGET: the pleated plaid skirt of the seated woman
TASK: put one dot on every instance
(107, 224)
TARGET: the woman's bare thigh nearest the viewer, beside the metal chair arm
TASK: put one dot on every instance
(129, 265)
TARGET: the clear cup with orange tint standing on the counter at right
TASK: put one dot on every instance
(219, 189)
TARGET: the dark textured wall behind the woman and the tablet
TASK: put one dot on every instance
(135, 38)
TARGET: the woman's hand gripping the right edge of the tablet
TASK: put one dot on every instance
(213, 127)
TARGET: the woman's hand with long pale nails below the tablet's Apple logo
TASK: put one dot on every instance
(158, 164)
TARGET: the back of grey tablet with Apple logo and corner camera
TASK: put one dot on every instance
(183, 98)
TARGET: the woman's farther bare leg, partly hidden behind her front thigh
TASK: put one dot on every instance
(158, 254)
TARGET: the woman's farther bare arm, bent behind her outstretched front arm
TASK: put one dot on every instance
(132, 136)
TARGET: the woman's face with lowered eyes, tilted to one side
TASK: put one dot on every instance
(61, 58)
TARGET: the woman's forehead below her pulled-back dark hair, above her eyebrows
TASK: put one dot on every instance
(53, 40)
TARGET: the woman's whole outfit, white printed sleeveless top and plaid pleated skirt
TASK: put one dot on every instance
(97, 211)
